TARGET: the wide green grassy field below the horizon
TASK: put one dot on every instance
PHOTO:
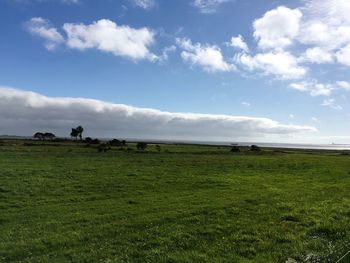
(65, 202)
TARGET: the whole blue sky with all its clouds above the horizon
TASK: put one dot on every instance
(219, 70)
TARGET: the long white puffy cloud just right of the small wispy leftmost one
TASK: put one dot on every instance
(107, 36)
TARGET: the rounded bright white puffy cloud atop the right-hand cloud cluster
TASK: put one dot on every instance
(277, 28)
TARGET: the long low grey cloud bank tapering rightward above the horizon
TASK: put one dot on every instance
(23, 113)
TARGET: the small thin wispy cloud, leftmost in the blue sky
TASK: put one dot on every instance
(41, 27)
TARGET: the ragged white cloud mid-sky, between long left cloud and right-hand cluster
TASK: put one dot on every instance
(209, 57)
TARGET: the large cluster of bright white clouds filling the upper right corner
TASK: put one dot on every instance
(318, 32)
